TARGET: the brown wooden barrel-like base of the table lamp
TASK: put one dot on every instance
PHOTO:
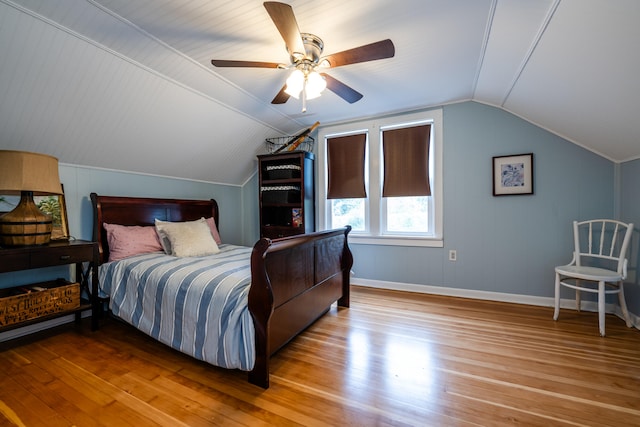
(26, 225)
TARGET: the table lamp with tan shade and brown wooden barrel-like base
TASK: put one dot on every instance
(27, 174)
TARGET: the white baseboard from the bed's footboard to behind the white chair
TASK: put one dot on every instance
(492, 296)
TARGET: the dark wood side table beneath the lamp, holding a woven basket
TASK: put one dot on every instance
(54, 254)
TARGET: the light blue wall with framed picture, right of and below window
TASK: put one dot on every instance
(507, 244)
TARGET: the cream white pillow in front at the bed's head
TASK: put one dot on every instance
(184, 239)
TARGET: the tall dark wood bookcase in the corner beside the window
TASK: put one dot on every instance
(286, 186)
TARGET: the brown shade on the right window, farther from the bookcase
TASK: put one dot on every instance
(406, 161)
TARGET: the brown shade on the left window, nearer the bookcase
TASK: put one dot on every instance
(345, 164)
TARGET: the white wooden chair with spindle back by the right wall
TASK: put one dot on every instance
(599, 264)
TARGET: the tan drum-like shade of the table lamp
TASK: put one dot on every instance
(25, 171)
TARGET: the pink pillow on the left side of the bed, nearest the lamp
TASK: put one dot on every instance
(125, 241)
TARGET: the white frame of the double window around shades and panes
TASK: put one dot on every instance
(374, 203)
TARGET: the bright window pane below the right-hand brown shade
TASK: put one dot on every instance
(408, 214)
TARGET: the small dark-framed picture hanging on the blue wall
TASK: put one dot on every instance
(513, 175)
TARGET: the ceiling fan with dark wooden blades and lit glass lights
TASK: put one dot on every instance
(305, 52)
